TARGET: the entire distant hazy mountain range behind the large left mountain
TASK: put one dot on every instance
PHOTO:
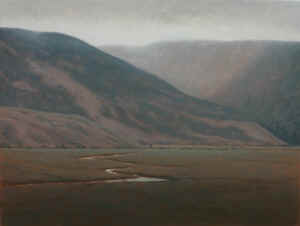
(260, 78)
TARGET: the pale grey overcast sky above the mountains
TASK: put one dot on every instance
(140, 22)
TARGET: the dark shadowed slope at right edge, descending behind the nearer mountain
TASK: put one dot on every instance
(269, 91)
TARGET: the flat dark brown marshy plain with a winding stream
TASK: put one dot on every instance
(187, 187)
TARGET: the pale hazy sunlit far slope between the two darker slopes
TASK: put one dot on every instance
(198, 68)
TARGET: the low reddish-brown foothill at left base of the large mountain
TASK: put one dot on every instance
(25, 128)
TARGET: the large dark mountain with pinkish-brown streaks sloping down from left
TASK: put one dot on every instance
(58, 91)
